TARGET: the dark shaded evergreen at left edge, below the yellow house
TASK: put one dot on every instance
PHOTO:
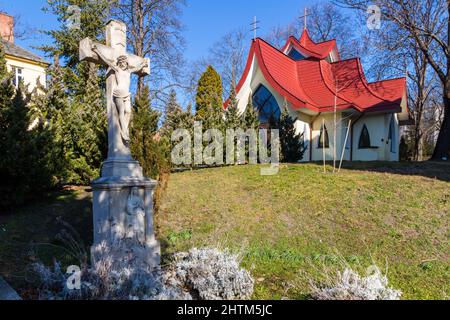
(26, 165)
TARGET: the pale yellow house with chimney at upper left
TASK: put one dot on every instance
(25, 65)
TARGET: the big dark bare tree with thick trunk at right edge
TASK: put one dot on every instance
(427, 23)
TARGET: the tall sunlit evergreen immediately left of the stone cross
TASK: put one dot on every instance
(84, 127)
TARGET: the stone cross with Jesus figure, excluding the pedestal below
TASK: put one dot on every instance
(121, 65)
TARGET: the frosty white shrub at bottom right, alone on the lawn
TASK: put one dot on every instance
(349, 285)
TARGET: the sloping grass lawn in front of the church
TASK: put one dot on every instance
(288, 227)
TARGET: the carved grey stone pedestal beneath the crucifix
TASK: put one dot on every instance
(123, 213)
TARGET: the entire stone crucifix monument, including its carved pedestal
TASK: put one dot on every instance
(122, 196)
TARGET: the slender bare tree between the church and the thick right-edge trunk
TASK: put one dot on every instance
(394, 54)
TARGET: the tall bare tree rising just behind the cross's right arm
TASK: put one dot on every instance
(155, 31)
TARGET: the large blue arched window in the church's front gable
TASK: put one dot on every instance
(266, 105)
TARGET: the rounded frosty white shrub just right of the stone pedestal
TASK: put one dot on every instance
(211, 274)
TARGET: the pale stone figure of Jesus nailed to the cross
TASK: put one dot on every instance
(121, 91)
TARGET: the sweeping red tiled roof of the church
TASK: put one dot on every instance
(314, 83)
